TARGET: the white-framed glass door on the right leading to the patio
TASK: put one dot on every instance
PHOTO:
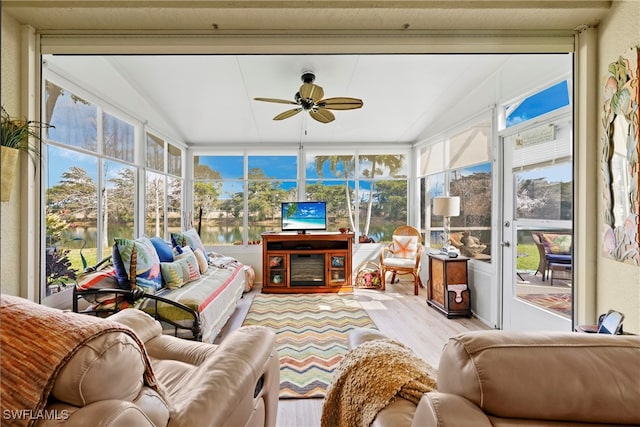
(537, 226)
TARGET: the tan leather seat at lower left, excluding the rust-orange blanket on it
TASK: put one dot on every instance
(233, 384)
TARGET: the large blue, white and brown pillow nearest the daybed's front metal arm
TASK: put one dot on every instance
(138, 262)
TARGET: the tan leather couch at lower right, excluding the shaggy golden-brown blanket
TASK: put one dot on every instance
(498, 378)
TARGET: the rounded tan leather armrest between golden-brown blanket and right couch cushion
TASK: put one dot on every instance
(448, 410)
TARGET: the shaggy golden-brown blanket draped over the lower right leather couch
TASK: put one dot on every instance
(370, 377)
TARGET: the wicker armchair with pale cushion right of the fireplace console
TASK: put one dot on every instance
(398, 258)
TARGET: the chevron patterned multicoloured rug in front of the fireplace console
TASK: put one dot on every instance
(311, 336)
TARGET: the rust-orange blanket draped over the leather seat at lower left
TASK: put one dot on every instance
(35, 343)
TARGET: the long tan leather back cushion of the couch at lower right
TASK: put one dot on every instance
(562, 376)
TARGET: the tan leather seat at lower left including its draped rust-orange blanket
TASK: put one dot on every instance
(65, 369)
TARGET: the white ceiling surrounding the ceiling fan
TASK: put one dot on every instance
(207, 100)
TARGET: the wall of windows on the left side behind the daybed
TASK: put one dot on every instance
(91, 184)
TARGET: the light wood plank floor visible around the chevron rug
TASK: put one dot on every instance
(397, 313)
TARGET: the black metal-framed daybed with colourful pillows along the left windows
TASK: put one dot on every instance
(192, 294)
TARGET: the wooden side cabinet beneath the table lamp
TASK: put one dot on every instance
(448, 286)
